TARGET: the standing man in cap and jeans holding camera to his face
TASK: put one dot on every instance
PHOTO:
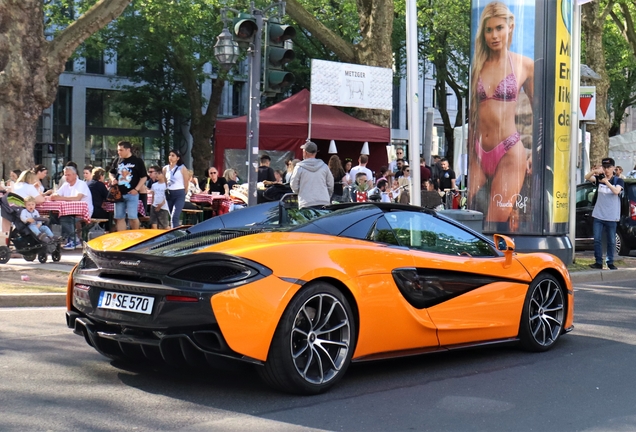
(607, 210)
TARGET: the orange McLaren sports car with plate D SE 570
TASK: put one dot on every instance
(364, 282)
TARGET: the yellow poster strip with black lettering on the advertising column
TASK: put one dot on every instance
(562, 101)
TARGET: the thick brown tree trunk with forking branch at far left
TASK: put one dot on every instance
(30, 66)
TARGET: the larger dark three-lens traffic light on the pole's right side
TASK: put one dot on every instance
(277, 79)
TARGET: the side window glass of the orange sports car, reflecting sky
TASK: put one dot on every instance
(427, 233)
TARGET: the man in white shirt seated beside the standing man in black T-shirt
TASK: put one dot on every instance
(73, 189)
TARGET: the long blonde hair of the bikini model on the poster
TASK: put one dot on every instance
(494, 9)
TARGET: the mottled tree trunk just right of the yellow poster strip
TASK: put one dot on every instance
(592, 21)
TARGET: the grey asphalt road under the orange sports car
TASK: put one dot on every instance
(51, 380)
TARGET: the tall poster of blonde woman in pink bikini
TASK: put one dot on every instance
(501, 147)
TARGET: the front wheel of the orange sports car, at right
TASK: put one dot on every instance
(543, 314)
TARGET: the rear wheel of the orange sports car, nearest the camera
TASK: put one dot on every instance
(304, 358)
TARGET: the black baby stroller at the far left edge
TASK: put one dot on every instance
(23, 240)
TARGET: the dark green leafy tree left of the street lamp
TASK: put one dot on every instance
(167, 45)
